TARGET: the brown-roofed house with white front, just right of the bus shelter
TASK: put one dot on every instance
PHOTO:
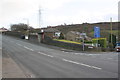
(51, 32)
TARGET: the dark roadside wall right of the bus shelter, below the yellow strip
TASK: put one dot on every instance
(71, 46)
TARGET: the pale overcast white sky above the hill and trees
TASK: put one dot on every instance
(56, 12)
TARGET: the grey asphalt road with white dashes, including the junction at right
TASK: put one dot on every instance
(43, 62)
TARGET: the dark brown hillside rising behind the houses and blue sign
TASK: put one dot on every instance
(89, 28)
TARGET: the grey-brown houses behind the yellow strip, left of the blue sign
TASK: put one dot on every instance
(76, 36)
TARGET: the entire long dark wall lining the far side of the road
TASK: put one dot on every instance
(49, 41)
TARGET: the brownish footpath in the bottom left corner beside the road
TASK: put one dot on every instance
(10, 69)
